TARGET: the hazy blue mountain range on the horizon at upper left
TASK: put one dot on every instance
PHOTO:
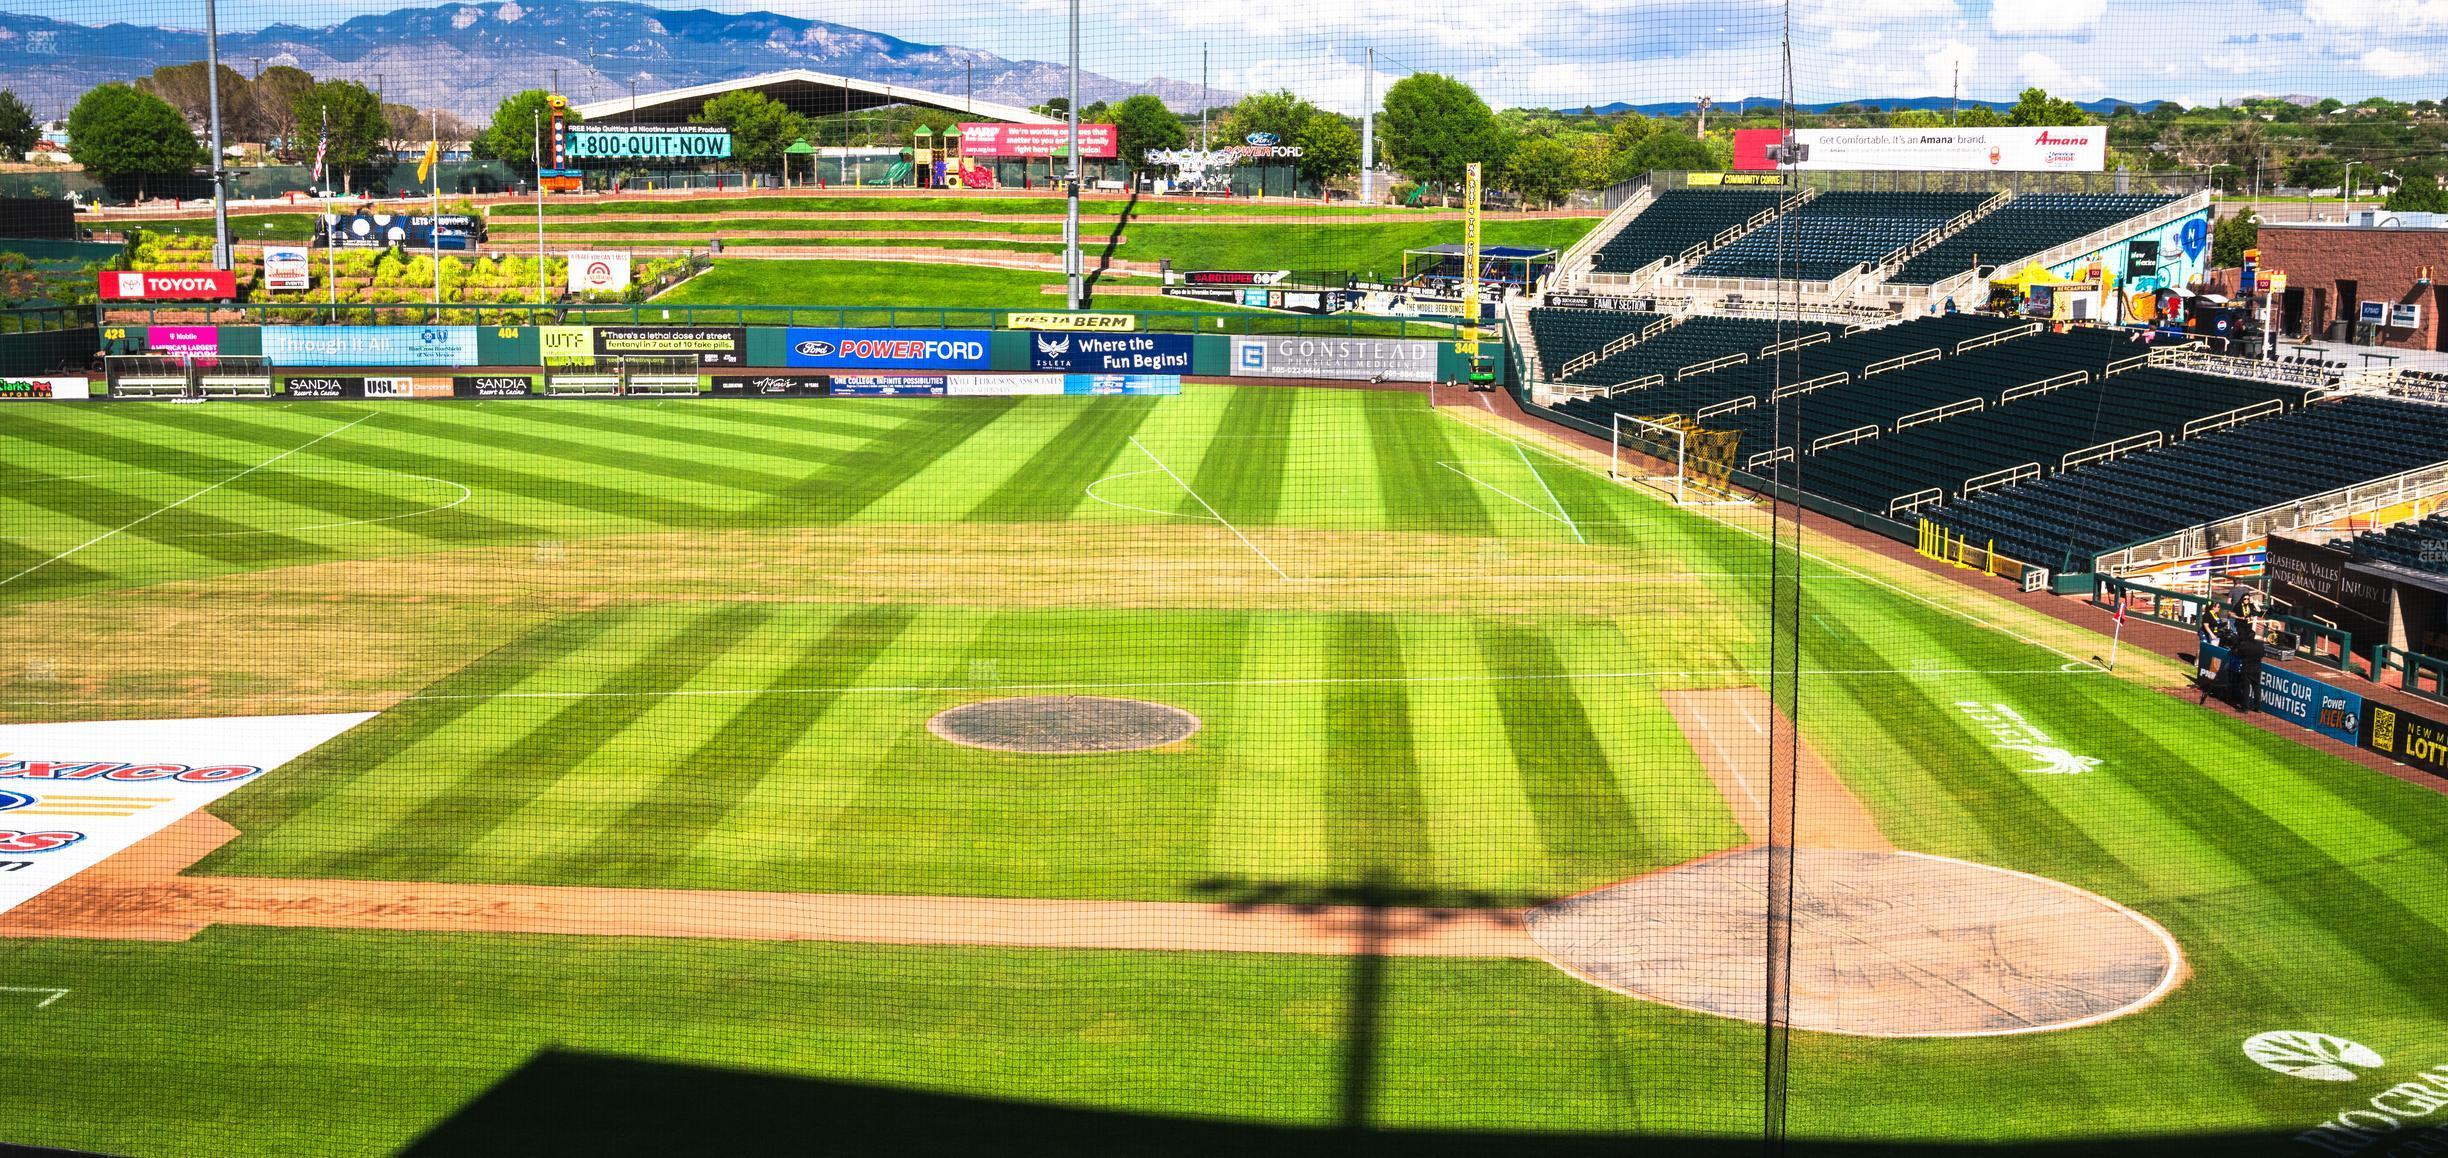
(469, 58)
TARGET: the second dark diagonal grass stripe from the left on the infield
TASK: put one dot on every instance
(430, 839)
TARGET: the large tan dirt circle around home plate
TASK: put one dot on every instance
(1884, 944)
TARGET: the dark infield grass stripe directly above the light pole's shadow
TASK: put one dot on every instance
(1379, 829)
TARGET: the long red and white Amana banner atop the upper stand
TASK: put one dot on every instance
(2028, 151)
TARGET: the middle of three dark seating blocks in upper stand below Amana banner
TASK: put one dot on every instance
(1835, 234)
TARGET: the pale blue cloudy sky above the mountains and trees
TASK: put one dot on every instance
(1639, 50)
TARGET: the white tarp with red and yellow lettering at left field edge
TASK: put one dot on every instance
(75, 797)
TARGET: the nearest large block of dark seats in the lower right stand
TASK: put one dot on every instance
(2082, 513)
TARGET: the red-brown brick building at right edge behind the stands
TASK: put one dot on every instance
(2342, 271)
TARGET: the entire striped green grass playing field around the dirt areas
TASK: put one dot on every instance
(692, 645)
